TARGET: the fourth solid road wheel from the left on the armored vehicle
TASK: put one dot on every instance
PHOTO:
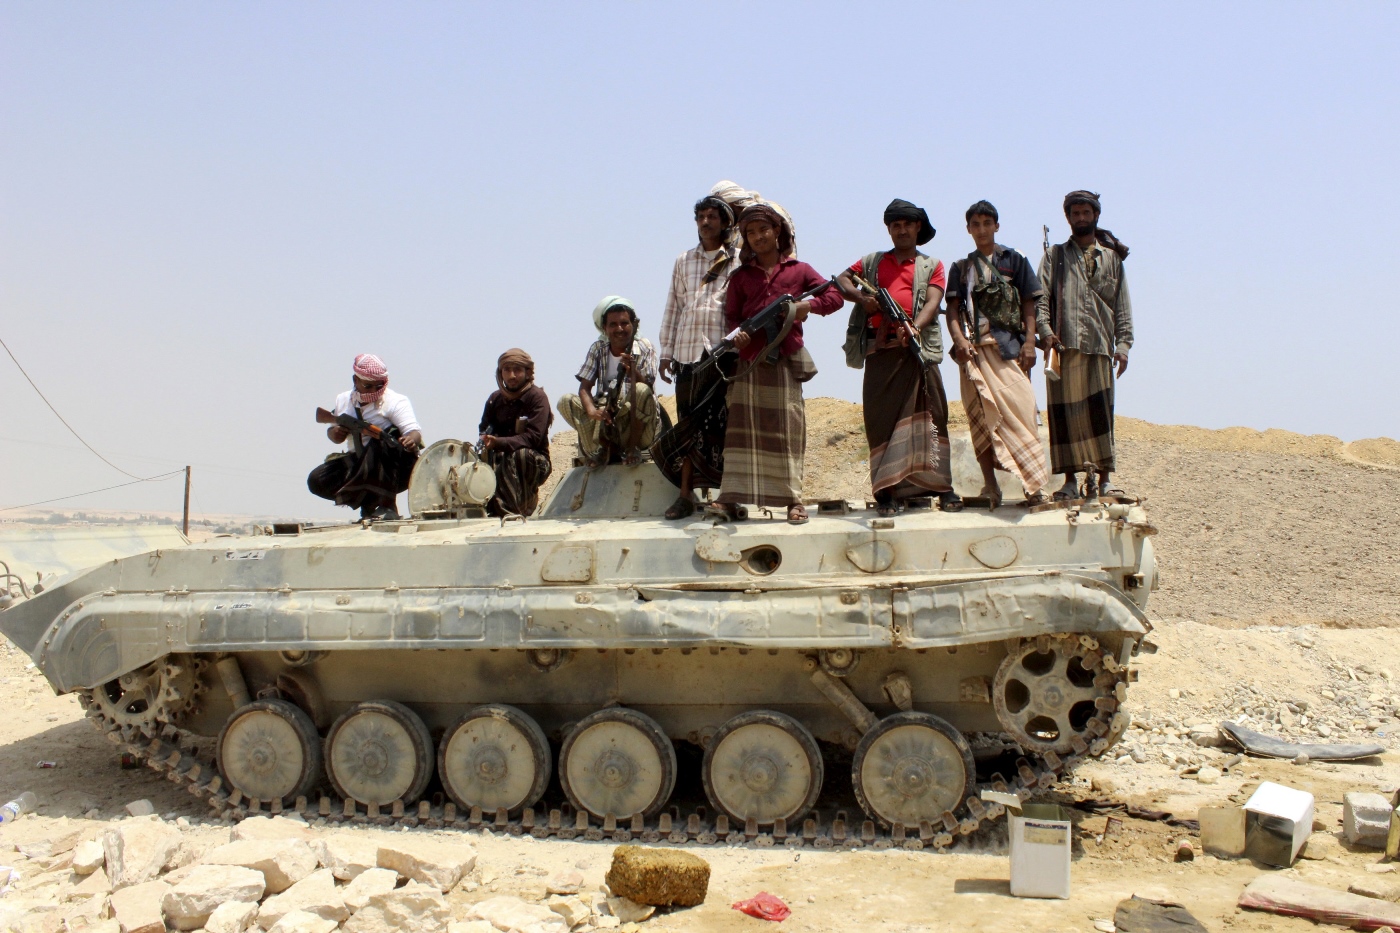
(618, 763)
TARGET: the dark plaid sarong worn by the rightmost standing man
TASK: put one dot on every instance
(1081, 413)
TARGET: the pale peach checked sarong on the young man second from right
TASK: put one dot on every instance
(1002, 417)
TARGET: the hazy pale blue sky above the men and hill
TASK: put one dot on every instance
(206, 211)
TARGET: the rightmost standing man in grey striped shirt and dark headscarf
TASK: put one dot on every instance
(1084, 317)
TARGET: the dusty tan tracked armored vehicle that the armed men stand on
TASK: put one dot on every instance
(444, 669)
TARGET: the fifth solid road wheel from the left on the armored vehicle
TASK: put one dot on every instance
(764, 766)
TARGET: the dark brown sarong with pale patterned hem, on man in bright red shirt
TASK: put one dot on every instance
(906, 431)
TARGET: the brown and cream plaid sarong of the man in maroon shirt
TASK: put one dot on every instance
(765, 439)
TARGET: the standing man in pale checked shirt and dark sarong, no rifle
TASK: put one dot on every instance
(692, 326)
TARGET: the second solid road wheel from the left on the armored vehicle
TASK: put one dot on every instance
(380, 752)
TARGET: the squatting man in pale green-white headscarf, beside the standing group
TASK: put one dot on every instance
(615, 411)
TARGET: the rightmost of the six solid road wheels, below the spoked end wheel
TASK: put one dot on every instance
(911, 768)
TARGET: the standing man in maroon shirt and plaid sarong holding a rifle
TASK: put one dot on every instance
(765, 439)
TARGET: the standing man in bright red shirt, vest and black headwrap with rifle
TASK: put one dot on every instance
(906, 410)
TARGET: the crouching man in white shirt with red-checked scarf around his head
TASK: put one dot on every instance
(374, 470)
